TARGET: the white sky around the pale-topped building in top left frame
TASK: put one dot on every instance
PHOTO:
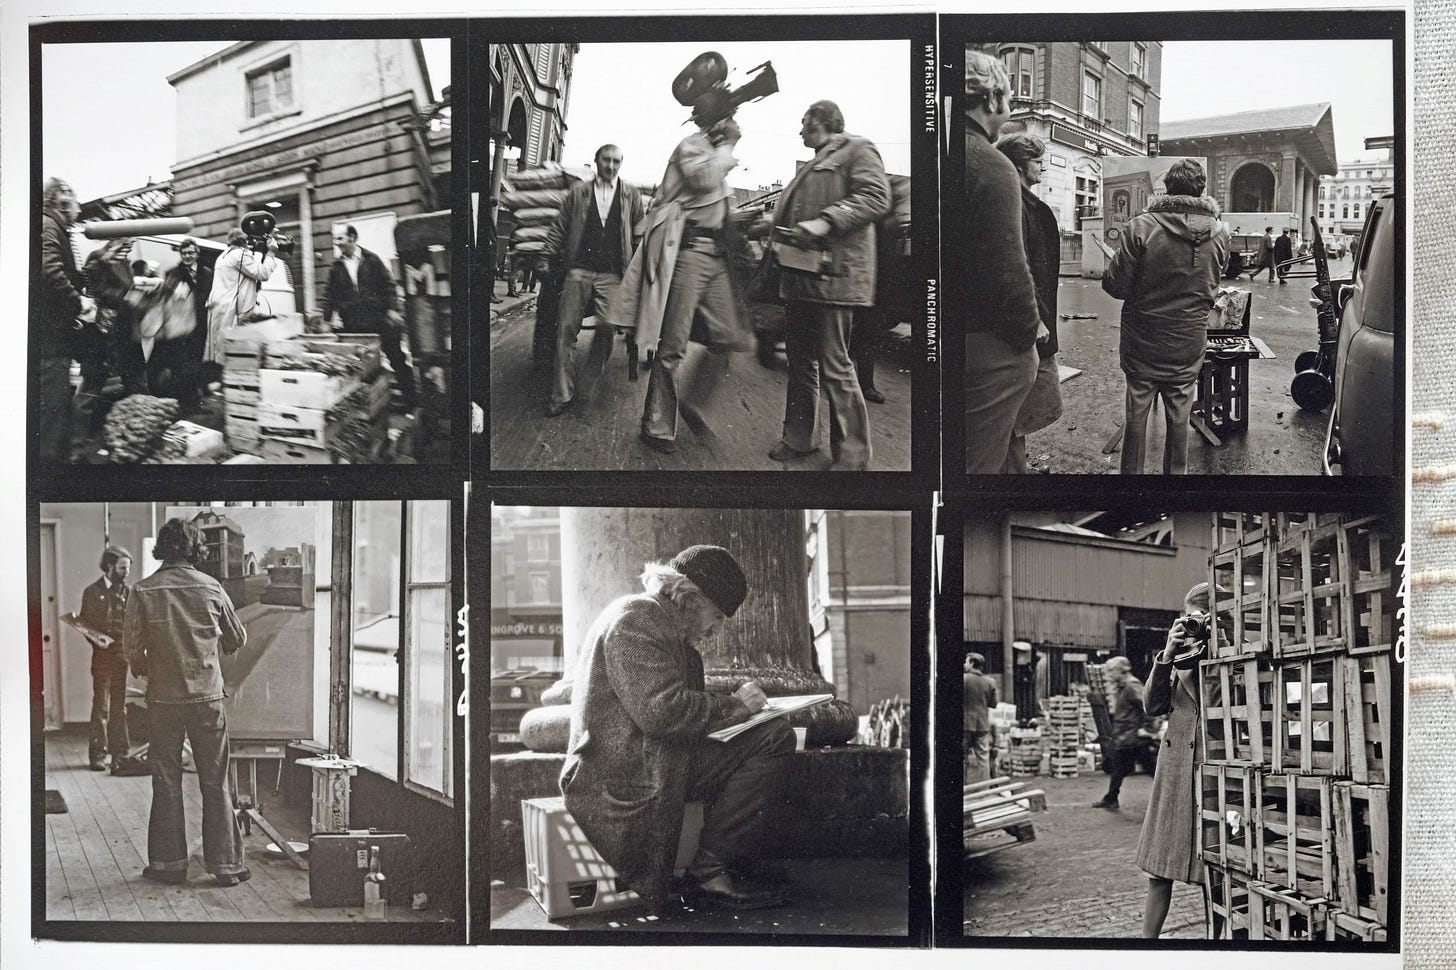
(110, 114)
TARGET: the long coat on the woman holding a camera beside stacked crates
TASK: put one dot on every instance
(1168, 845)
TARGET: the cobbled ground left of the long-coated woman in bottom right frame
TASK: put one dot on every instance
(1078, 879)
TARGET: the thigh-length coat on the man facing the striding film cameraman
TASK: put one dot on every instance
(845, 184)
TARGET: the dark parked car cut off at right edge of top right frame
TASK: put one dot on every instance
(1362, 422)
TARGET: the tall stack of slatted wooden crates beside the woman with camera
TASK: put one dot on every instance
(1297, 720)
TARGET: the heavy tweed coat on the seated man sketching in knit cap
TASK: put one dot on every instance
(638, 717)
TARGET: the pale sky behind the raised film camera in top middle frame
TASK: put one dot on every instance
(622, 94)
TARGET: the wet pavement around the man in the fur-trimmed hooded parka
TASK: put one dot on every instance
(1281, 441)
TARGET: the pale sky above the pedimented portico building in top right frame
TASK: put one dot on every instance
(1218, 78)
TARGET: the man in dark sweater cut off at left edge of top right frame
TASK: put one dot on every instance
(1002, 318)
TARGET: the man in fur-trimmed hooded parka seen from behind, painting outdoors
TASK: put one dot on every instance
(1167, 273)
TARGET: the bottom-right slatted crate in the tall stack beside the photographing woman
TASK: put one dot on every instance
(1364, 850)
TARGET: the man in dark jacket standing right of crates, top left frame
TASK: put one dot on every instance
(365, 296)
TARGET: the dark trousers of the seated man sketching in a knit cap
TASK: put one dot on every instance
(739, 783)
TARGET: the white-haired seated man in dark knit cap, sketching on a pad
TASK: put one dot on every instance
(640, 748)
